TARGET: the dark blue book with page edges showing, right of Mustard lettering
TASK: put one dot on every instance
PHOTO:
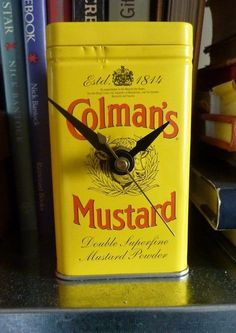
(213, 192)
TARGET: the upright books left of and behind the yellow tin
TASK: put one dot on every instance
(23, 62)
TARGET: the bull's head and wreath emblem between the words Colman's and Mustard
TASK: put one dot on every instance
(112, 184)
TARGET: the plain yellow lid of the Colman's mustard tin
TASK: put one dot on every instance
(119, 33)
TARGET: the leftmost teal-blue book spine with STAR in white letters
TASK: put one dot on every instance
(14, 77)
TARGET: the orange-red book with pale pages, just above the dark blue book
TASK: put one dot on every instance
(220, 131)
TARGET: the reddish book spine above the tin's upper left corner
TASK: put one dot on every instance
(59, 11)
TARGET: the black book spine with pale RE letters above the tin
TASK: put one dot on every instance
(86, 11)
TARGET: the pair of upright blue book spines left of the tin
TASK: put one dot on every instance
(22, 36)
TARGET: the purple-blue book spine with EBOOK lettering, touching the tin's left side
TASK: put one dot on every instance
(34, 23)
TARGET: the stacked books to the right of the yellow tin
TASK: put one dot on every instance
(213, 170)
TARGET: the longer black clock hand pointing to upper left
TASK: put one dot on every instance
(89, 134)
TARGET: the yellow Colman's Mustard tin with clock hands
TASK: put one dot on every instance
(120, 111)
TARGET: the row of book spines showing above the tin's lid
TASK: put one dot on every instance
(127, 10)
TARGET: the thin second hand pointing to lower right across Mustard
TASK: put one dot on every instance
(122, 164)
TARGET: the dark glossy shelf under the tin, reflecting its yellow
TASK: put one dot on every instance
(205, 299)
